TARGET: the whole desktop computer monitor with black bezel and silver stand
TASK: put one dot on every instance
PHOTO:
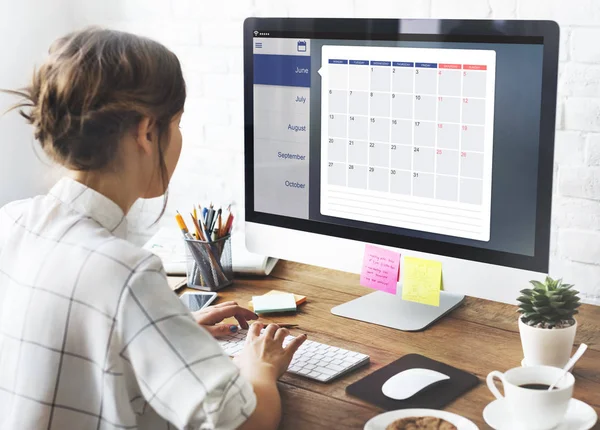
(434, 138)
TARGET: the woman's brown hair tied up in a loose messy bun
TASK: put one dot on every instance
(95, 86)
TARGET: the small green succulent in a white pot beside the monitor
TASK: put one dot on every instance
(547, 324)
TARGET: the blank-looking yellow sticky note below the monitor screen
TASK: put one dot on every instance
(422, 281)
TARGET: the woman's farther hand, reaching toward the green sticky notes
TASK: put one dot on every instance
(210, 318)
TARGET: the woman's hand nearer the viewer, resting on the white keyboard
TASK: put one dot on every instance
(263, 356)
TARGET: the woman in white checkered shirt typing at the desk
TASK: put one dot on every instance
(91, 337)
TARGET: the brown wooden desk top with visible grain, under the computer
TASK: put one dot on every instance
(479, 337)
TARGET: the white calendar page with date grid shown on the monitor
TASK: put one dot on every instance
(407, 137)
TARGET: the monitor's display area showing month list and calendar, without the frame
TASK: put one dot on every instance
(434, 138)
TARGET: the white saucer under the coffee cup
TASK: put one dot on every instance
(580, 416)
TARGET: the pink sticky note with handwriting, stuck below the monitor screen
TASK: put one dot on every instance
(380, 269)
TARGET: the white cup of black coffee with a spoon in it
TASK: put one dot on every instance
(529, 408)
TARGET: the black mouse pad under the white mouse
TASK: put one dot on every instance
(435, 396)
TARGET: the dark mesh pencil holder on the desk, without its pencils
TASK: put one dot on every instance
(209, 265)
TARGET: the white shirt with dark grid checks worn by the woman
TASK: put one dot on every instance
(91, 336)
